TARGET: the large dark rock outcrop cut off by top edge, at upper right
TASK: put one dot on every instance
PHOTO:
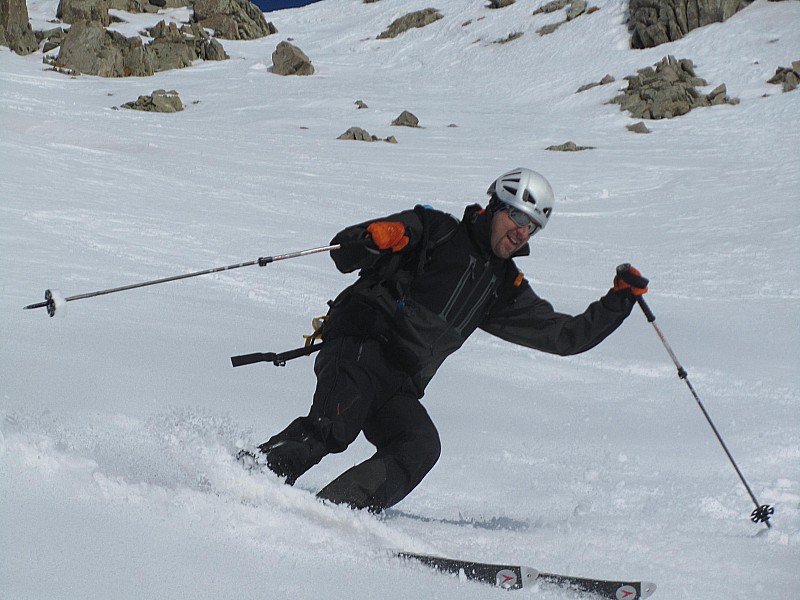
(654, 22)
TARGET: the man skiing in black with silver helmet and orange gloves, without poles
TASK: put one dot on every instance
(426, 282)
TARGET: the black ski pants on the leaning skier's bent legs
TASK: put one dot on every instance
(358, 389)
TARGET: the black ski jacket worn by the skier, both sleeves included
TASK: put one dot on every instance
(426, 300)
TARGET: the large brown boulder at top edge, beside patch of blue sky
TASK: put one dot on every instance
(232, 19)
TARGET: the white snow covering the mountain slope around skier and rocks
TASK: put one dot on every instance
(119, 420)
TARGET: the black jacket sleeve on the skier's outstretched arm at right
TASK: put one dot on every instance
(531, 321)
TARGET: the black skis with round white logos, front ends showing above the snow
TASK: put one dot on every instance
(514, 577)
